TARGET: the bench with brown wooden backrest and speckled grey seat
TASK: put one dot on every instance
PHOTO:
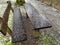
(18, 33)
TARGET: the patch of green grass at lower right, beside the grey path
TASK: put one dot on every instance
(47, 40)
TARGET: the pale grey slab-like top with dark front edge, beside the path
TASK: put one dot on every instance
(38, 20)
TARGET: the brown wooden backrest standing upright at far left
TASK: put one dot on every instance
(4, 20)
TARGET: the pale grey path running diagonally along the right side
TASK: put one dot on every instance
(53, 15)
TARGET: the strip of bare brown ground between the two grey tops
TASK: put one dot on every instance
(30, 33)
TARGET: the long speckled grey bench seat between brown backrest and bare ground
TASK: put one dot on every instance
(18, 33)
